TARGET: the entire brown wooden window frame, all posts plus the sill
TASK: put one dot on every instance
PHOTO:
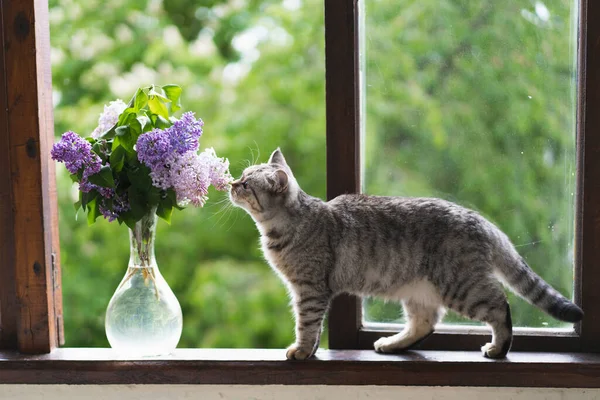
(30, 292)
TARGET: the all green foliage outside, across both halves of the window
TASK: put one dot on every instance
(448, 114)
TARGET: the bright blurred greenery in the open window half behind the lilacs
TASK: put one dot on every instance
(254, 72)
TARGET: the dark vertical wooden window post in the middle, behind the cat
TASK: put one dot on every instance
(343, 141)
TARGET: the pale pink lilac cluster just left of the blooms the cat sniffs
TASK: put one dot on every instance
(190, 178)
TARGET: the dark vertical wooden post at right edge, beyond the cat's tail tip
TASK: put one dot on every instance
(588, 221)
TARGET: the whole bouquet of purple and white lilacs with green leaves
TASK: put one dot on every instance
(140, 158)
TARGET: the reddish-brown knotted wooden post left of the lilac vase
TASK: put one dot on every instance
(29, 134)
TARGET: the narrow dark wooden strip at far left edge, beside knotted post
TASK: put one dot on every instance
(8, 297)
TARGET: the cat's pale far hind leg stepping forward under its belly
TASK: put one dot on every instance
(420, 323)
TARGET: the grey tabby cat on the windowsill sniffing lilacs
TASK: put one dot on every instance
(428, 253)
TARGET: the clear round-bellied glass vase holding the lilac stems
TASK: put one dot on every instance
(143, 317)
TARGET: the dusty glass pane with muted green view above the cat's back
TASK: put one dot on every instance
(474, 102)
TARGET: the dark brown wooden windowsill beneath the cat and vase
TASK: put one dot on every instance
(333, 367)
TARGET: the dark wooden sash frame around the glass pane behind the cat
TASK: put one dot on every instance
(346, 327)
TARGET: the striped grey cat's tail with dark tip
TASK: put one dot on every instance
(527, 284)
